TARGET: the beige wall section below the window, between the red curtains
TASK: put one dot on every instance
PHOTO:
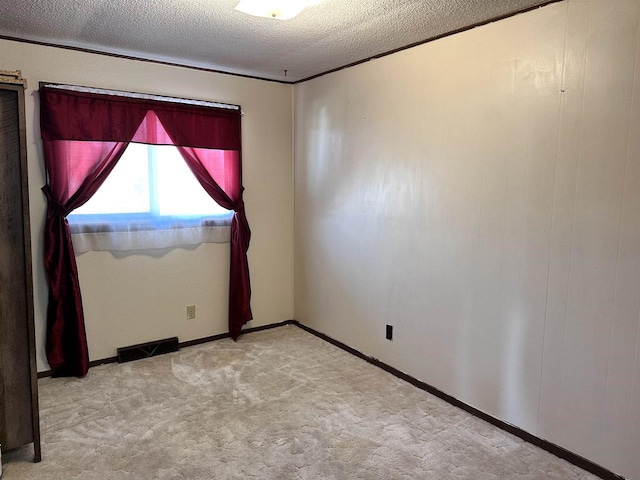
(146, 288)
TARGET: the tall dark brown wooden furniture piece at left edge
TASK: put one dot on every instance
(19, 419)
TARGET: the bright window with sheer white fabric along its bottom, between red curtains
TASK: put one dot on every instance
(151, 189)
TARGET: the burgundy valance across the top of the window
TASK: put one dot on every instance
(78, 115)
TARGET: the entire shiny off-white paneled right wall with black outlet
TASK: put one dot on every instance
(481, 194)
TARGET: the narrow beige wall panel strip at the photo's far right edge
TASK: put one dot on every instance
(620, 405)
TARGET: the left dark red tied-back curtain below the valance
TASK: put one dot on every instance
(66, 190)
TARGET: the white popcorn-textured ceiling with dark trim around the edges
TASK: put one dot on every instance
(211, 34)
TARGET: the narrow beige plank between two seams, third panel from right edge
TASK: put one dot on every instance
(571, 101)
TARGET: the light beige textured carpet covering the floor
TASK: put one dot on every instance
(278, 404)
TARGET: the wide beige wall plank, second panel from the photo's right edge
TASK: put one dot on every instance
(604, 136)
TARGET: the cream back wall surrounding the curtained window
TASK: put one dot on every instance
(140, 298)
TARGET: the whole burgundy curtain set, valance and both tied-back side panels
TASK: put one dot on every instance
(84, 135)
